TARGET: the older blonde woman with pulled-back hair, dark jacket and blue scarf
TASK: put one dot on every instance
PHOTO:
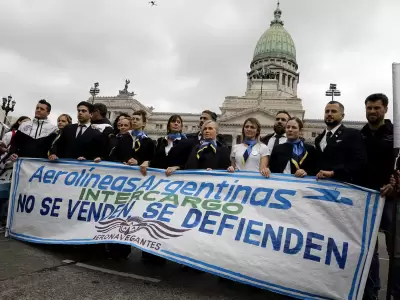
(210, 154)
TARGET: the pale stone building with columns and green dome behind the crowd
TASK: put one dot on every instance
(271, 86)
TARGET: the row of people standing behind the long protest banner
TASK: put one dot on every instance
(363, 157)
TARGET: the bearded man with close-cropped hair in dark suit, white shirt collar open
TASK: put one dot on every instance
(340, 150)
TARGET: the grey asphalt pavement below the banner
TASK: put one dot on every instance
(33, 271)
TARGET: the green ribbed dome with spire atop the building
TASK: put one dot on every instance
(276, 42)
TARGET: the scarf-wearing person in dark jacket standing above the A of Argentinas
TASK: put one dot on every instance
(142, 146)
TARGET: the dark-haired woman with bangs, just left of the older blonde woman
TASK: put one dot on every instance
(173, 150)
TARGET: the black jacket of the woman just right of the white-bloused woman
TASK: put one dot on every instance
(282, 154)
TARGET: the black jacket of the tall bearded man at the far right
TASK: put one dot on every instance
(381, 157)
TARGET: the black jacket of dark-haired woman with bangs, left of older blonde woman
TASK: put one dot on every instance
(177, 155)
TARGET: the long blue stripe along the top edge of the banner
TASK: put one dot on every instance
(202, 172)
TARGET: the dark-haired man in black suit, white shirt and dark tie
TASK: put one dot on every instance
(80, 141)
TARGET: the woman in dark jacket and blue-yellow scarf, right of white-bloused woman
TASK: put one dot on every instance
(295, 156)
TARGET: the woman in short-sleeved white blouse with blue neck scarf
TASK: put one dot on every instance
(250, 155)
